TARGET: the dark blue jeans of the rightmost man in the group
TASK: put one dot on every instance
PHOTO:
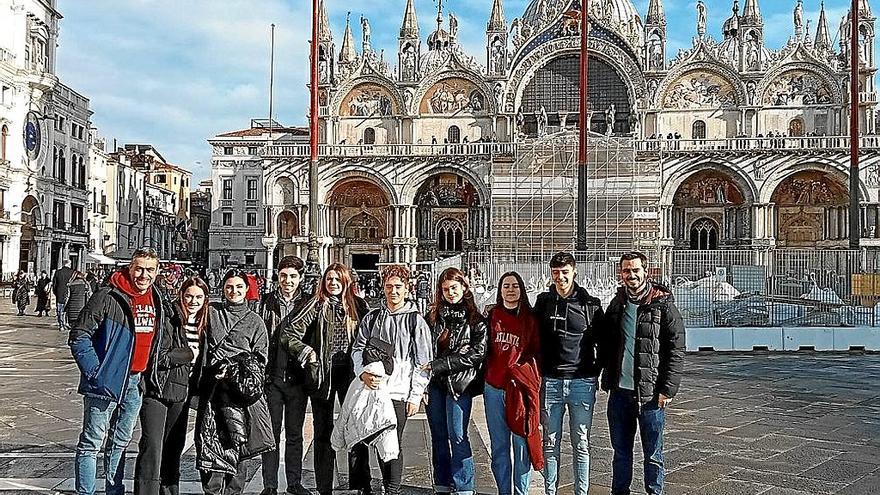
(623, 413)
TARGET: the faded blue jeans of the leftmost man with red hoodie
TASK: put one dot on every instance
(115, 422)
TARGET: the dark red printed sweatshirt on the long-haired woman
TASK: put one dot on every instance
(513, 338)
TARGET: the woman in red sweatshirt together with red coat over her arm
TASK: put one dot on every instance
(513, 348)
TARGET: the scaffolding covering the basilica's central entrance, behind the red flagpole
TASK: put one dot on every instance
(534, 197)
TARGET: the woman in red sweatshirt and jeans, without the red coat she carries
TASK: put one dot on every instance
(513, 340)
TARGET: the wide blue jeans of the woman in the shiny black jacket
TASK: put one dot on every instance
(448, 421)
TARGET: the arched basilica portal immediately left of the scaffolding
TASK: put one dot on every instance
(448, 215)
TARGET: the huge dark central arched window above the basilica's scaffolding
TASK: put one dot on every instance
(555, 87)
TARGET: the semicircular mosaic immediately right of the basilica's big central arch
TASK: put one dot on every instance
(700, 89)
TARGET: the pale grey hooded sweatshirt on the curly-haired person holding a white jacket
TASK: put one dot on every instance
(410, 339)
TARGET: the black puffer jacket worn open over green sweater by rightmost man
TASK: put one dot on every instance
(659, 347)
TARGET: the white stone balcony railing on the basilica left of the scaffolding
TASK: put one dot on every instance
(349, 150)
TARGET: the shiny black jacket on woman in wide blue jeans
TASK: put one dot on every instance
(459, 372)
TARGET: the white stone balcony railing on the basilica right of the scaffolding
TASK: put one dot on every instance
(769, 144)
